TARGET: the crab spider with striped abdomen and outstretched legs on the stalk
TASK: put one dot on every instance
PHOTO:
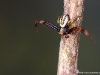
(66, 26)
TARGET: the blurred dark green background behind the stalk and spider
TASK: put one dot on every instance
(23, 51)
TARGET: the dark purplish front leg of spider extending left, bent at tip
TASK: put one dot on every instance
(48, 24)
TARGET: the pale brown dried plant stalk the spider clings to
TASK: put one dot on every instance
(68, 52)
